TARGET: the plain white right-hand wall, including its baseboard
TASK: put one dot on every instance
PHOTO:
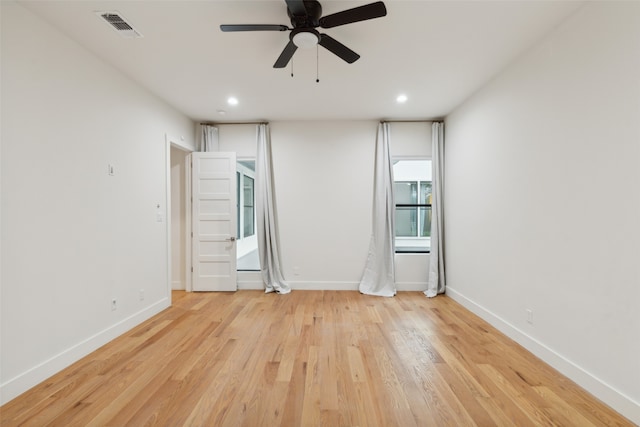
(542, 201)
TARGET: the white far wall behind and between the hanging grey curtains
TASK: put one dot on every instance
(323, 173)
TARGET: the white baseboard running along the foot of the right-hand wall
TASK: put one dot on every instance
(600, 389)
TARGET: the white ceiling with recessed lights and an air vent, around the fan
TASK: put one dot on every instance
(438, 53)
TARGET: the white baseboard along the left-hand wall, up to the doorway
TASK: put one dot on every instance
(34, 376)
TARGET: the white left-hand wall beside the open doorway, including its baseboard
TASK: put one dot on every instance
(74, 237)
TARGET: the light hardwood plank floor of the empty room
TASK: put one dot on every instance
(309, 358)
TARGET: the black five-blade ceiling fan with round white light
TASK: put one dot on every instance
(306, 16)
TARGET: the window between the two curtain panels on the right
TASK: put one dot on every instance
(412, 191)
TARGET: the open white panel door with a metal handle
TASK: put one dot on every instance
(214, 221)
